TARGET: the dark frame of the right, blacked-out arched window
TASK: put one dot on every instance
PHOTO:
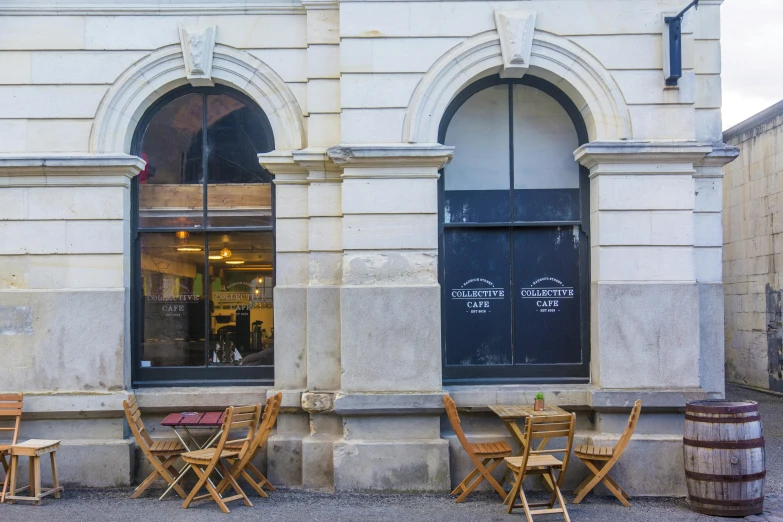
(521, 374)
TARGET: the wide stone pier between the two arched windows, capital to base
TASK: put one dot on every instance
(390, 320)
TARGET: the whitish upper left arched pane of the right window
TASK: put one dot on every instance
(479, 132)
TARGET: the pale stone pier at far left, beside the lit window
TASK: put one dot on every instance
(65, 304)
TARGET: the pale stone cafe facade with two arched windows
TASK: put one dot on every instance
(419, 149)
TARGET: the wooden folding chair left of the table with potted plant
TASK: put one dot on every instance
(485, 456)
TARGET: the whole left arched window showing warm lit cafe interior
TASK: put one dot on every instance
(203, 241)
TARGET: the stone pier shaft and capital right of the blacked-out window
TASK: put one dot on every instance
(644, 298)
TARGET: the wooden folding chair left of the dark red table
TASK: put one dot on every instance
(160, 453)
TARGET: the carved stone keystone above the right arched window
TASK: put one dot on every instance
(516, 41)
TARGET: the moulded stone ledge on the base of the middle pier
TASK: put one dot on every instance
(388, 403)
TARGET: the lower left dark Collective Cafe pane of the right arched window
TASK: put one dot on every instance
(477, 308)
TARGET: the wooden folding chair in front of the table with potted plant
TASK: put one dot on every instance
(542, 462)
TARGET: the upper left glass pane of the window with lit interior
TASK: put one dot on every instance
(170, 186)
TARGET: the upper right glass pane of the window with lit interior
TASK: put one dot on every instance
(240, 189)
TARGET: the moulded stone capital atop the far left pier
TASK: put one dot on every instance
(68, 169)
